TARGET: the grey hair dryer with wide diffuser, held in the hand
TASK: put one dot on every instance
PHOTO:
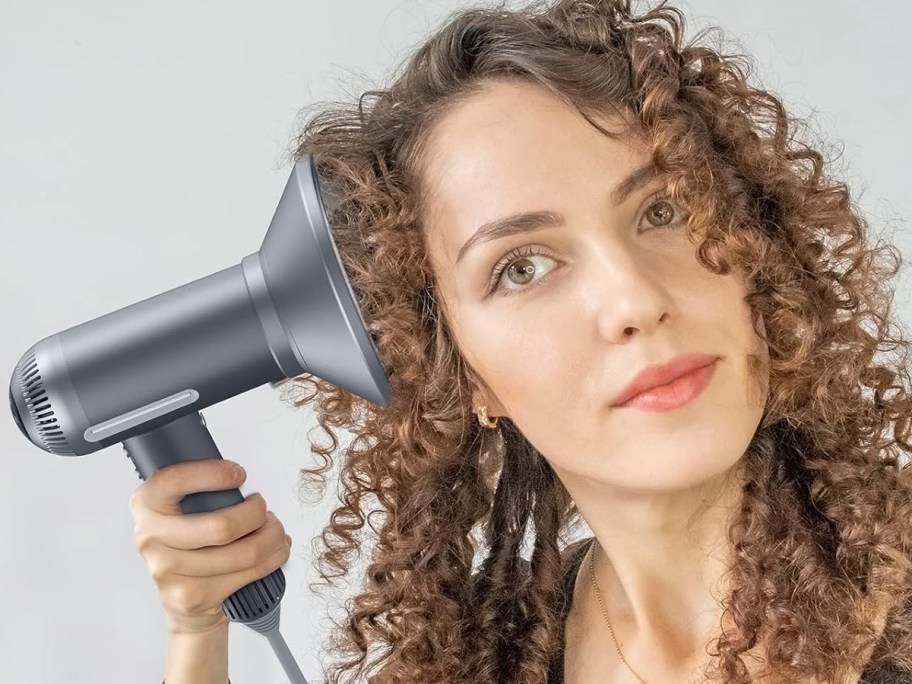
(141, 374)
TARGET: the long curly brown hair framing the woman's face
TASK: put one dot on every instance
(822, 541)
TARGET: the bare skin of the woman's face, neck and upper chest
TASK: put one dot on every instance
(611, 292)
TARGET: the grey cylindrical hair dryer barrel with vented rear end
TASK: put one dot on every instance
(147, 364)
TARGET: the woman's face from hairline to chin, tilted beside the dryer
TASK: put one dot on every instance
(588, 303)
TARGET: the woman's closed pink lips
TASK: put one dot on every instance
(667, 386)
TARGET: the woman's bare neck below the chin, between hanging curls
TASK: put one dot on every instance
(660, 579)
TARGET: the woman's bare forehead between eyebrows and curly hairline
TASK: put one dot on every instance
(512, 148)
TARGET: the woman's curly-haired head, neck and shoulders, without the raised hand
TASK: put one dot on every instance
(757, 528)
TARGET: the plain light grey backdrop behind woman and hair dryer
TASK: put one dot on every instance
(142, 146)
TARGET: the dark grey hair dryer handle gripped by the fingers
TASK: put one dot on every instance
(186, 439)
